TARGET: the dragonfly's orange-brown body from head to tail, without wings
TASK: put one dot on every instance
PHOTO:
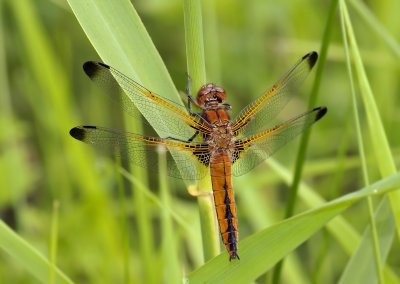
(221, 145)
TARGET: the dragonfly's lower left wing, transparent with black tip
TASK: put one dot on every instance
(144, 151)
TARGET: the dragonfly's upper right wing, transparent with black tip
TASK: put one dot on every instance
(256, 116)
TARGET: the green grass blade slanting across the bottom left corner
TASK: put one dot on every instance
(28, 257)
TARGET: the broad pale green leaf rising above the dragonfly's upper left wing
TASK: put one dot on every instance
(121, 40)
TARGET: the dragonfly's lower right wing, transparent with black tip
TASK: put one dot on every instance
(251, 151)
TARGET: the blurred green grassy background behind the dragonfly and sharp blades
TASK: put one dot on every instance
(248, 45)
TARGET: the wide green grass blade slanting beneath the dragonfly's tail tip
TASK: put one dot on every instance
(262, 250)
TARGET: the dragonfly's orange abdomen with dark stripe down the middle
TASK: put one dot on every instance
(224, 200)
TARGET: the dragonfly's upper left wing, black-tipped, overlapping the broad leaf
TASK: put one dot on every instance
(168, 118)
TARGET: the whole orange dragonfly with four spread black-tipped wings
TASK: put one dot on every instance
(205, 142)
